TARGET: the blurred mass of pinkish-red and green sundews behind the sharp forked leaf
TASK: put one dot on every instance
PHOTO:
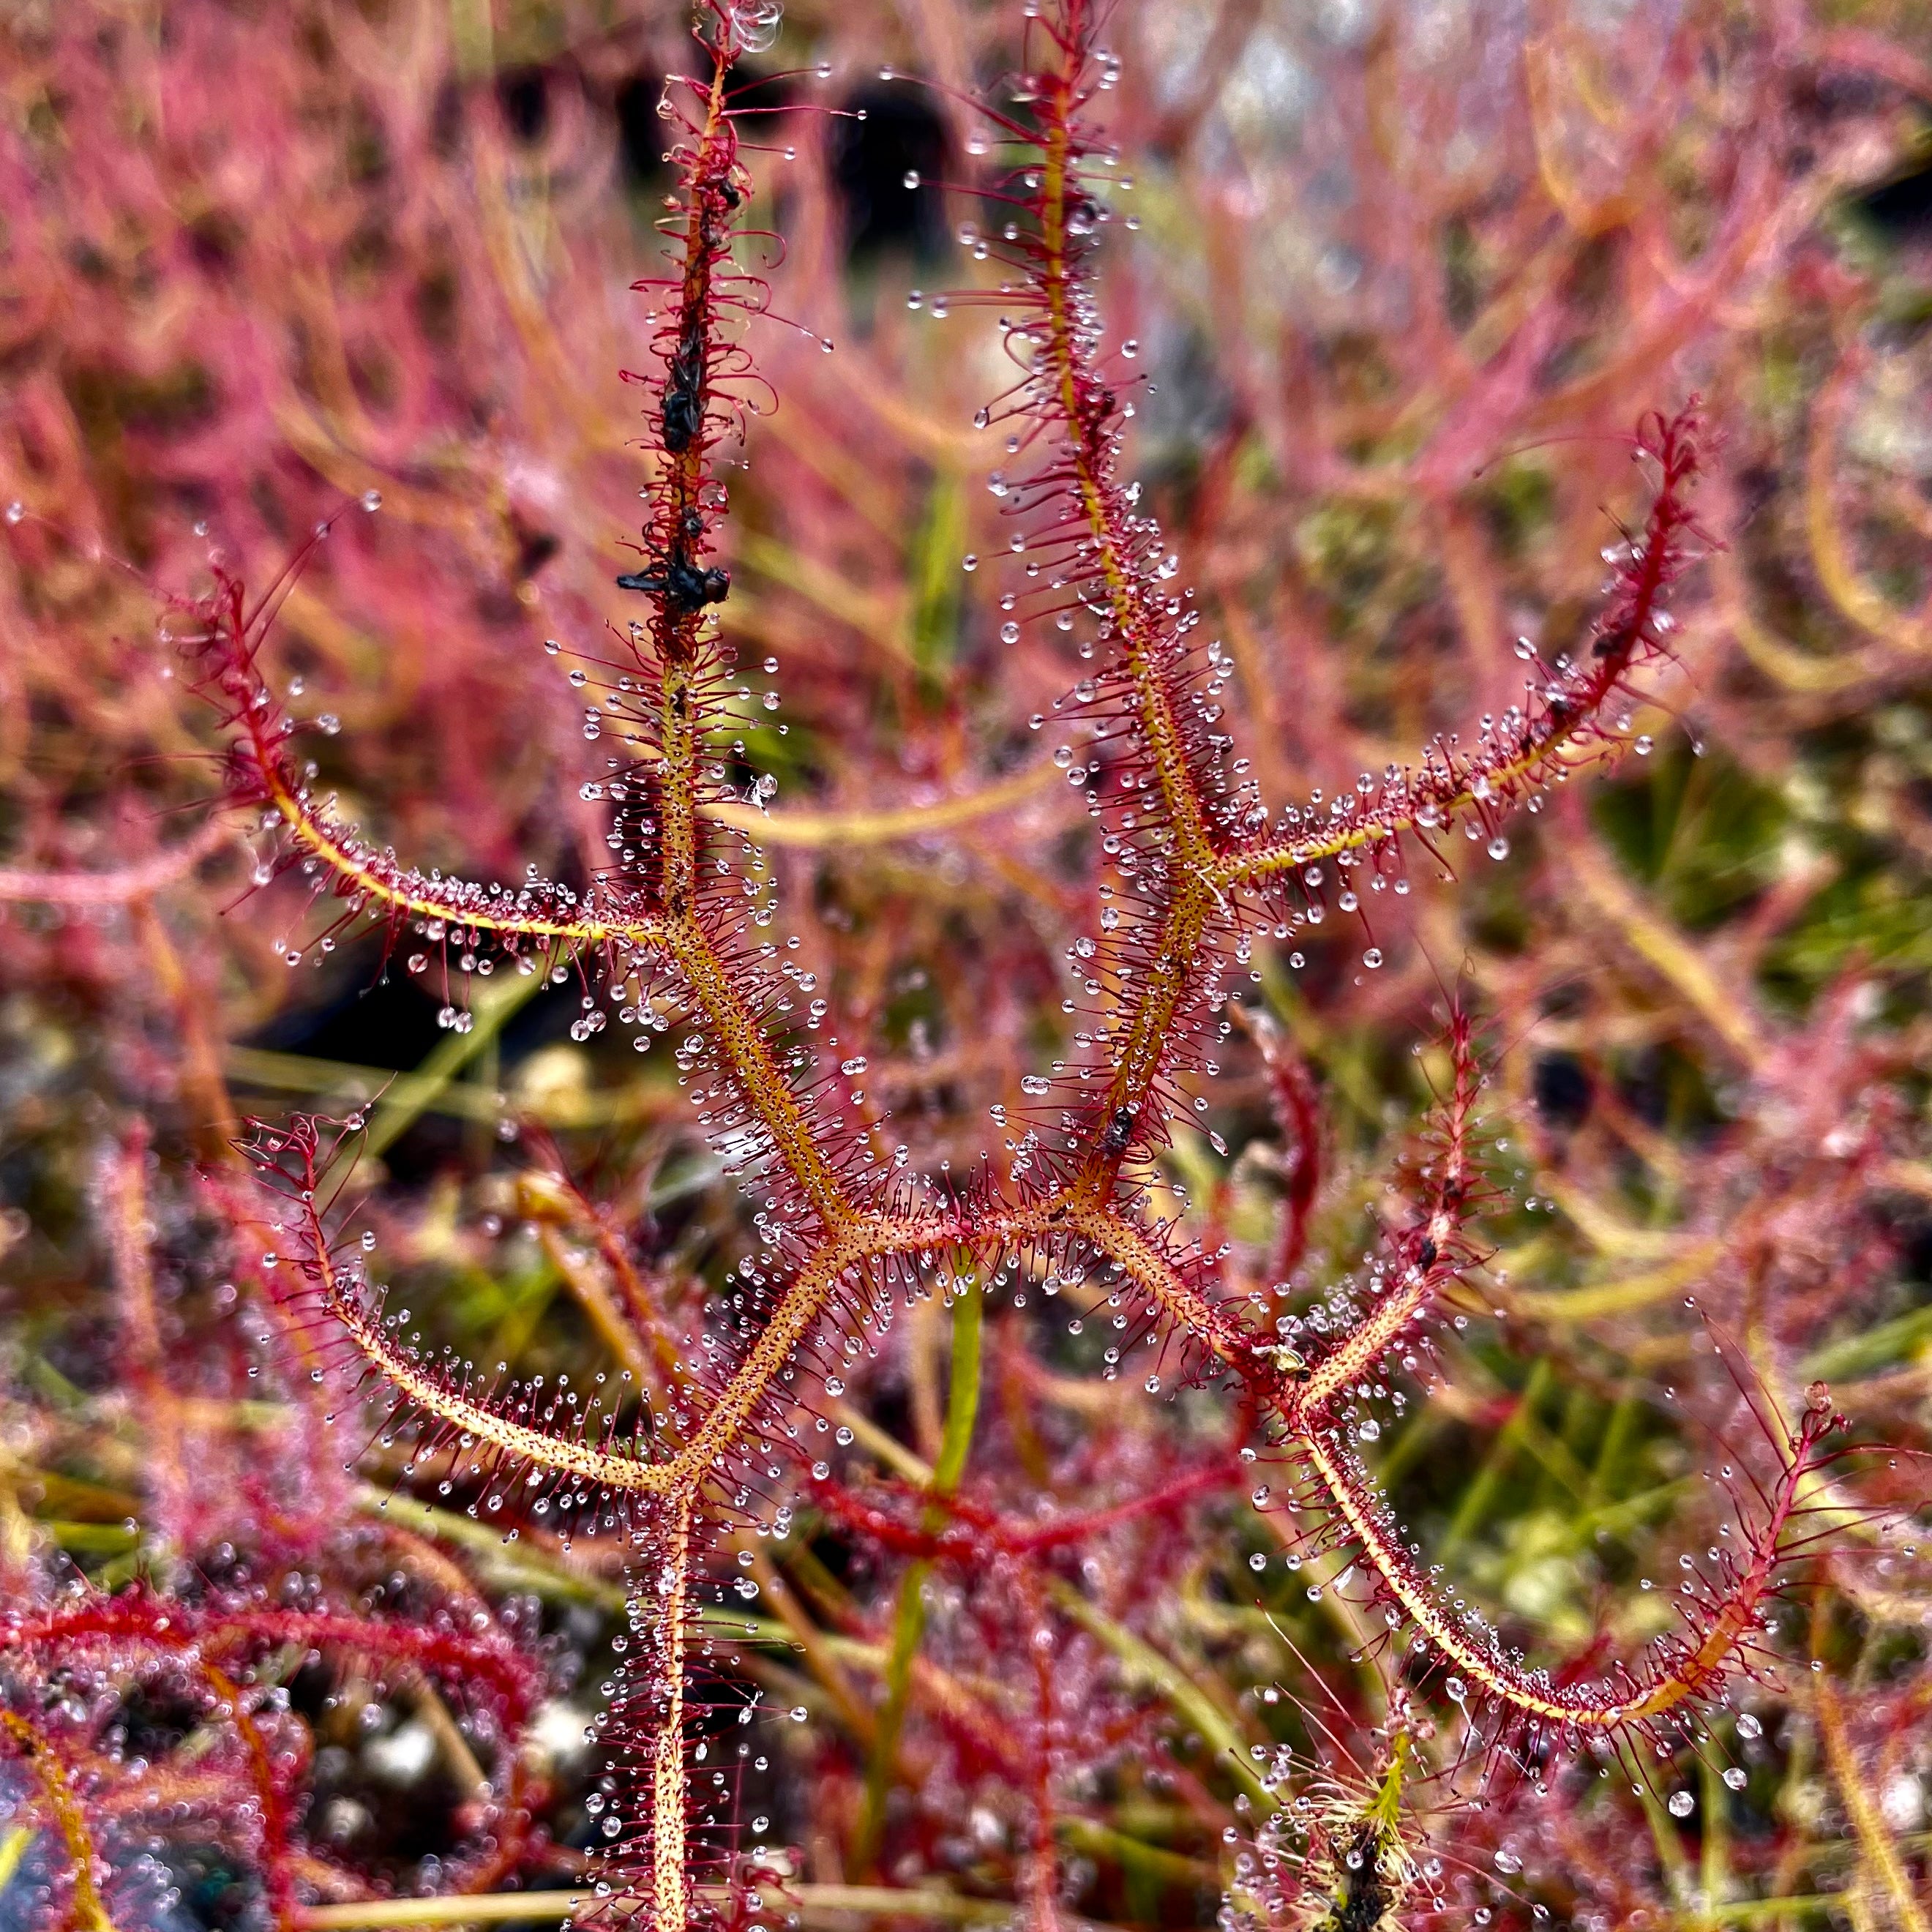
(1705, 977)
